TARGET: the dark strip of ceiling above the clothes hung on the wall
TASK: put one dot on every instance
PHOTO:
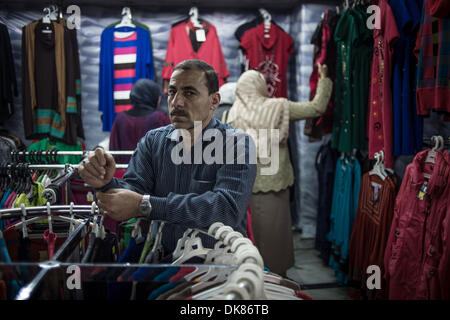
(169, 4)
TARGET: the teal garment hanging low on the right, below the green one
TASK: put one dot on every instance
(346, 189)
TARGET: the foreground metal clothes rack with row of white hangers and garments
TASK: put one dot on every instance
(233, 269)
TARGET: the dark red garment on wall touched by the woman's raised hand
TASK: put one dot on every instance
(324, 53)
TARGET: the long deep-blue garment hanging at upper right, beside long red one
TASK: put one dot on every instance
(407, 125)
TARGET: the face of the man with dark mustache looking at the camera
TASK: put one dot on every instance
(189, 100)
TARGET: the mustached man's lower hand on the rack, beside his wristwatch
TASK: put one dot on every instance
(120, 204)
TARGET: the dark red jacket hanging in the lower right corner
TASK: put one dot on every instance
(417, 252)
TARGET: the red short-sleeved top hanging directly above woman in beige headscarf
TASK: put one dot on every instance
(270, 55)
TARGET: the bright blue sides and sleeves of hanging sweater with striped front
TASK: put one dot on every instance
(144, 68)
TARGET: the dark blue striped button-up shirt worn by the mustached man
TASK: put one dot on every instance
(192, 195)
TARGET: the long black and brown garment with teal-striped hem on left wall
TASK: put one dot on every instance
(51, 87)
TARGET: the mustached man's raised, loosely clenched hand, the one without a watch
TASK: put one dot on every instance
(98, 169)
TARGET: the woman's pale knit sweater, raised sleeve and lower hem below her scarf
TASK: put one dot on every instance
(284, 177)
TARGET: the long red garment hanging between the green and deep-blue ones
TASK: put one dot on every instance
(380, 115)
